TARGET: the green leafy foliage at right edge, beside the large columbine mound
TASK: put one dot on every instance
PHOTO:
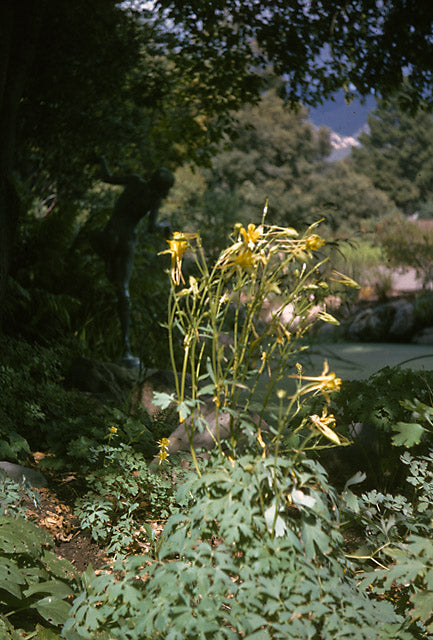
(397, 541)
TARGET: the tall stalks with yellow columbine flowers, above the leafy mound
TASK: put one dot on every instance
(234, 345)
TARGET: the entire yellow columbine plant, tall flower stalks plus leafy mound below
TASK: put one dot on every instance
(258, 552)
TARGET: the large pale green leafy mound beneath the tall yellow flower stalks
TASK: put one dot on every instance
(241, 565)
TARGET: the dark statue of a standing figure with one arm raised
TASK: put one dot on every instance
(116, 242)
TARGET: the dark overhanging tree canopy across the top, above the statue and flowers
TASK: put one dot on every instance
(157, 84)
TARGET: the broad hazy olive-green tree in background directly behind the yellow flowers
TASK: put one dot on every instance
(277, 155)
